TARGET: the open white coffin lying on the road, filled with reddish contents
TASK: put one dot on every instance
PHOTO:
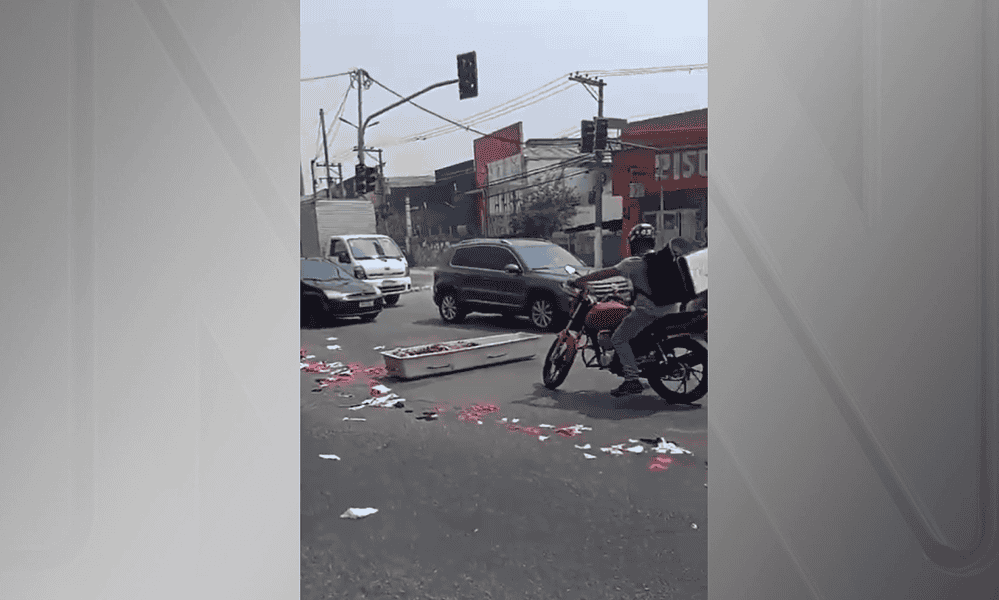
(459, 355)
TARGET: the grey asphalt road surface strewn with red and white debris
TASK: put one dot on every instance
(490, 510)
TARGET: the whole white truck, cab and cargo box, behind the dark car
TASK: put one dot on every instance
(344, 231)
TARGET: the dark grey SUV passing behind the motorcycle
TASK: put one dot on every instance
(512, 277)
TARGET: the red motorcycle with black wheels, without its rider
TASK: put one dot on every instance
(668, 356)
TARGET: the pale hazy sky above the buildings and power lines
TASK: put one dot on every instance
(522, 48)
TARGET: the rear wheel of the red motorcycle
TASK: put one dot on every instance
(681, 377)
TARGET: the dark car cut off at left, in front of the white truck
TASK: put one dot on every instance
(329, 290)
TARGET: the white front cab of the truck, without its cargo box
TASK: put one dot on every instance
(376, 259)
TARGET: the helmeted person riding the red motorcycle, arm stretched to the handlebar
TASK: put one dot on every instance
(644, 311)
